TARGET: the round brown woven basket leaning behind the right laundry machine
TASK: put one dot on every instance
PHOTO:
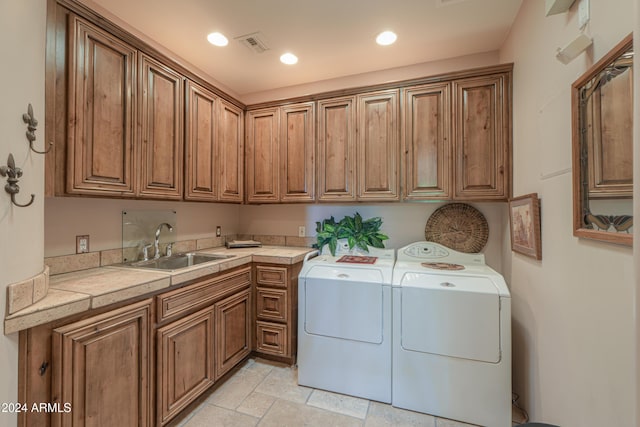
(458, 226)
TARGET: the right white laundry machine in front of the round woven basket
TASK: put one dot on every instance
(451, 336)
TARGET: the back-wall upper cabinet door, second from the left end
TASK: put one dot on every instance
(297, 148)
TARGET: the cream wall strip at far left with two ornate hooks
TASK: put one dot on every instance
(22, 41)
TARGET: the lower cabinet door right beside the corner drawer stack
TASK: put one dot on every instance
(233, 331)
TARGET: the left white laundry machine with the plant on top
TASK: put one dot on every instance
(344, 324)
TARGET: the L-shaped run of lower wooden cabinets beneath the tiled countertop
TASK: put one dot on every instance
(144, 363)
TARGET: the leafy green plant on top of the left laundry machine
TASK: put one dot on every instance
(357, 232)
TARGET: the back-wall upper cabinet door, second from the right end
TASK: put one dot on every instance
(426, 142)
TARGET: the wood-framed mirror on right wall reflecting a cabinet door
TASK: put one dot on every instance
(602, 121)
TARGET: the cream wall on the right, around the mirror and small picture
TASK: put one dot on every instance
(573, 312)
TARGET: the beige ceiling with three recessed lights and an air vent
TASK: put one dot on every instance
(332, 38)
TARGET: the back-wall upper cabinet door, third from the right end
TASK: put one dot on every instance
(378, 146)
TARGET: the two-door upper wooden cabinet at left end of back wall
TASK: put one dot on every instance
(280, 154)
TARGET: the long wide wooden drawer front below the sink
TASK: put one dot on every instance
(199, 295)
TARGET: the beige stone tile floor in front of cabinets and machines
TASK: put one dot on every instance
(262, 393)
